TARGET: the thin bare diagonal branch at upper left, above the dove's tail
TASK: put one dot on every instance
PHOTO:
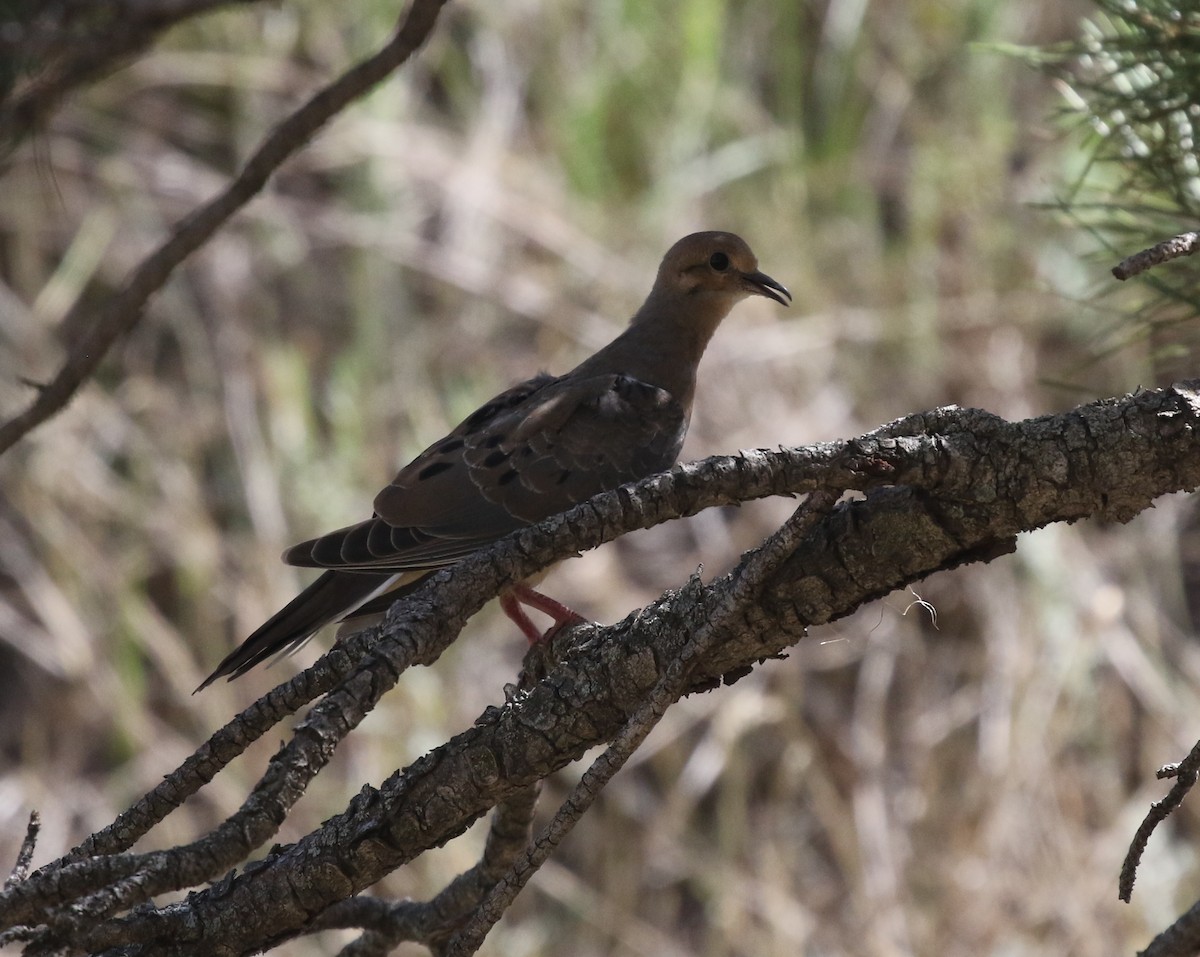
(122, 311)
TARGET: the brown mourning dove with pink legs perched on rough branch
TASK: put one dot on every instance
(526, 455)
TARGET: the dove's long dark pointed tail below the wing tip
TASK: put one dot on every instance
(333, 597)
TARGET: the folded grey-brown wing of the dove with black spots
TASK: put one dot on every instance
(531, 453)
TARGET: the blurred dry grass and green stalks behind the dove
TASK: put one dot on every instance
(903, 784)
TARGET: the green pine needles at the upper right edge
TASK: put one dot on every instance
(1133, 81)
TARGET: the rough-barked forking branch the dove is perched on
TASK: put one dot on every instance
(945, 489)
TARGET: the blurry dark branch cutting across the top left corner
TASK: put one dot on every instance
(63, 46)
